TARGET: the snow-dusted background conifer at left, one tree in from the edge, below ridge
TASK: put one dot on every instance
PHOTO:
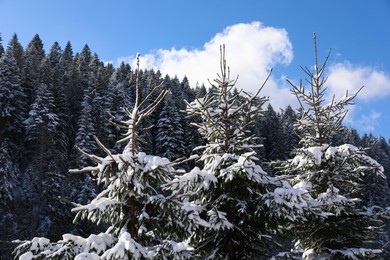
(43, 174)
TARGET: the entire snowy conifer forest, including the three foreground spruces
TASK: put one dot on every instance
(104, 162)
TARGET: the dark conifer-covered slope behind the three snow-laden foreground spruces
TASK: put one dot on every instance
(50, 102)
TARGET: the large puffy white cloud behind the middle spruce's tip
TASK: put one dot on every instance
(251, 50)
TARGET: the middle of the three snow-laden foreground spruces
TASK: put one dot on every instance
(231, 189)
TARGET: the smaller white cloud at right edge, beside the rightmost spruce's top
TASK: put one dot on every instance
(345, 76)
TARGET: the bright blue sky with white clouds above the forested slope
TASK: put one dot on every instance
(181, 38)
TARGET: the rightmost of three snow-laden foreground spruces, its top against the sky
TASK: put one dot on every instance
(333, 175)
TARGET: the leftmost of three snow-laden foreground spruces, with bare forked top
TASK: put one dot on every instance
(142, 221)
